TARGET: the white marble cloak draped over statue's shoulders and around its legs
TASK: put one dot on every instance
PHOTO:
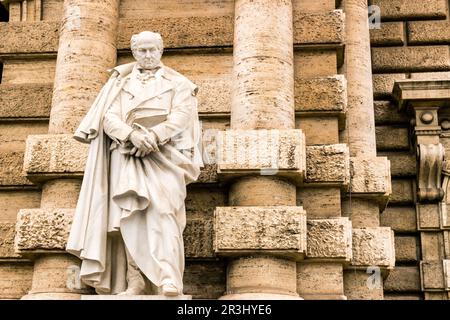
(142, 198)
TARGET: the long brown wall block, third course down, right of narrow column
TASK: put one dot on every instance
(411, 59)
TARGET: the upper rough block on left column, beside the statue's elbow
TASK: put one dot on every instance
(50, 155)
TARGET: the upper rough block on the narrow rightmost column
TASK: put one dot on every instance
(370, 176)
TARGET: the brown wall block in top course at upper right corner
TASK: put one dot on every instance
(411, 10)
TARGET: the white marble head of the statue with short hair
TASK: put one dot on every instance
(147, 48)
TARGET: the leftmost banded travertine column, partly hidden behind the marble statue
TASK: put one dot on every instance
(87, 48)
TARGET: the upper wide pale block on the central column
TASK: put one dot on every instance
(261, 152)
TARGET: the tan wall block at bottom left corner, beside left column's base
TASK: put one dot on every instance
(15, 279)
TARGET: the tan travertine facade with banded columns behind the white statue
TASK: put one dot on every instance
(327, 142)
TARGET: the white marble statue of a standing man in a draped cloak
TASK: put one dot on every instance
(145, 147)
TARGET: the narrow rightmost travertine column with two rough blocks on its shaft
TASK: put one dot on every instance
(366, 197)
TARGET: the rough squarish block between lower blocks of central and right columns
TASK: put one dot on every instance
(329, 239)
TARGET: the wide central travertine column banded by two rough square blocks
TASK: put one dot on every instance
(263, 101)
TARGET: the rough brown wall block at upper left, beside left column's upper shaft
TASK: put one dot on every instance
(29, 37)
